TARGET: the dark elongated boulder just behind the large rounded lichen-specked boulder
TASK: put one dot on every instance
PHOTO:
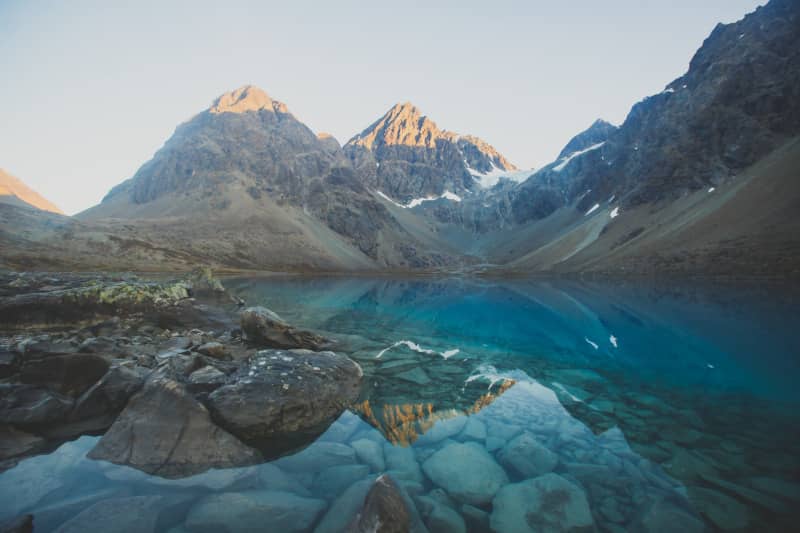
(265, 329)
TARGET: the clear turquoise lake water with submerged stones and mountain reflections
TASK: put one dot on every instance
(664, 407)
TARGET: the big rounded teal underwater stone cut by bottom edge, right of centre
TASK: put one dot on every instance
(544, 503)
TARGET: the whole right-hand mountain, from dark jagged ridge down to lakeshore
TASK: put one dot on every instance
(616, 199)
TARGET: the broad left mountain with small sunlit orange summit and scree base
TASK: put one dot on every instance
(249, 186)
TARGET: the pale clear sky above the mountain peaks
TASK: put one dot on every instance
(92, 88)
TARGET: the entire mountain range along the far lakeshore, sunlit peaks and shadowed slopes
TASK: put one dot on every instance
(699, 179)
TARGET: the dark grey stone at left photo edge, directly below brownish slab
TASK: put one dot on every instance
(30, 405)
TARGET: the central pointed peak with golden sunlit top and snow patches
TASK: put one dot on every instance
(406, 157)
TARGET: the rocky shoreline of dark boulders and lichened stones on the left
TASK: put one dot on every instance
(177, 375)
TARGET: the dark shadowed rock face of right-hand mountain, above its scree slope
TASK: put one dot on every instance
(739, 101)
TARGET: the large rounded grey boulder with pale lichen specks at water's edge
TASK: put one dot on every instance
(280, 395)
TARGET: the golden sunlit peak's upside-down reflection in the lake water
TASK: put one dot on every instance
(403, 424)
